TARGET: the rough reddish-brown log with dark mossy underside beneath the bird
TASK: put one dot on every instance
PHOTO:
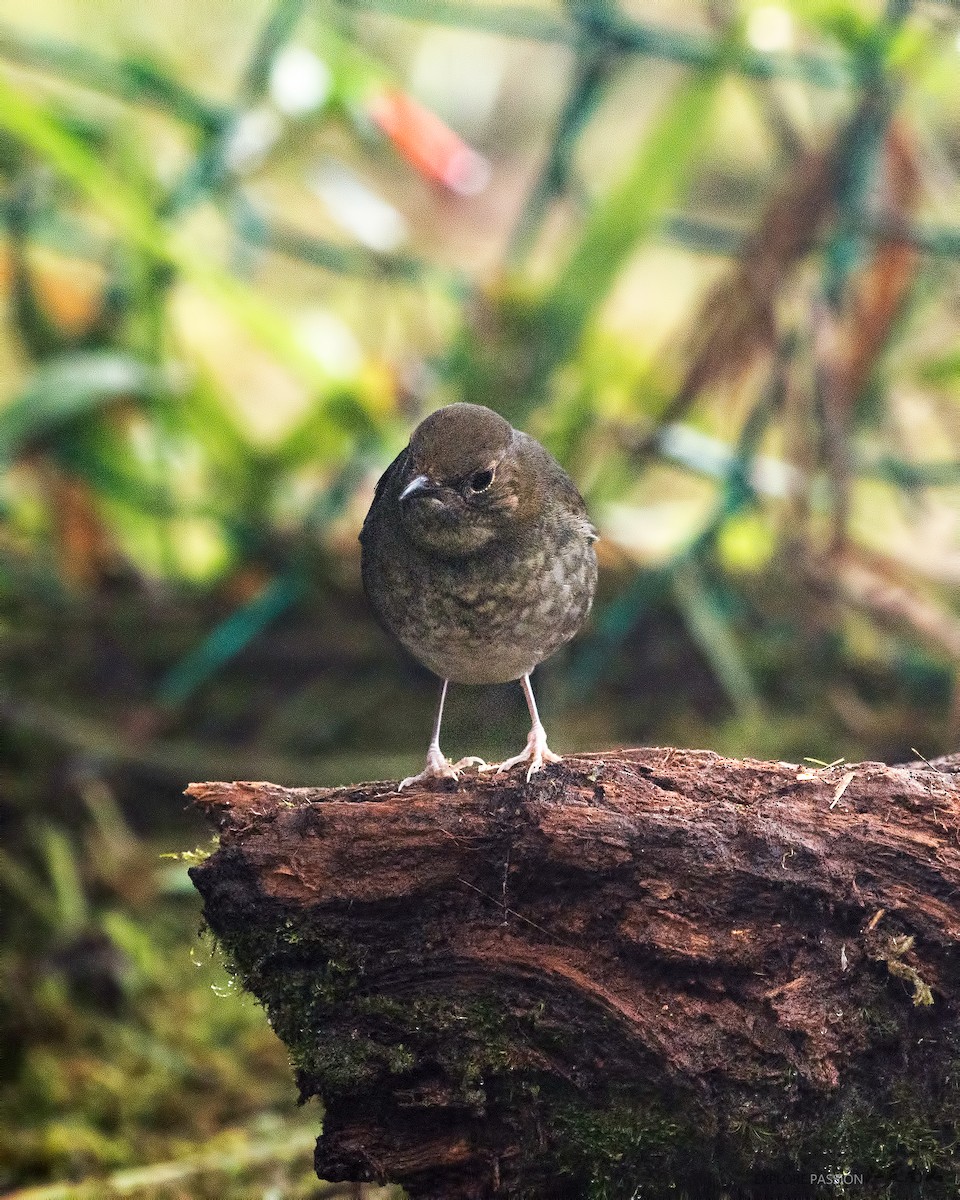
(641, 974)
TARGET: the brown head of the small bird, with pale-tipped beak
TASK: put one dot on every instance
(464, 483)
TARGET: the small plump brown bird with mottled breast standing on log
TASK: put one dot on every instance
(478, 557)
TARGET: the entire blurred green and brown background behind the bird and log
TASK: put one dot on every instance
(707, 253)
